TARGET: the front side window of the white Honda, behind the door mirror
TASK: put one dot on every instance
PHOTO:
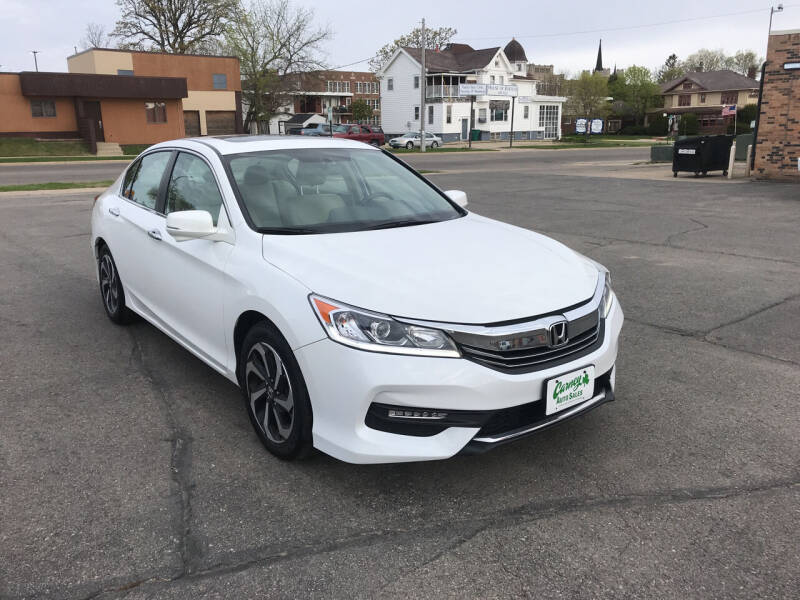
(192, 187)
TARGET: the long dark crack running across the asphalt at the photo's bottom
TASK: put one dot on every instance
(469, 527)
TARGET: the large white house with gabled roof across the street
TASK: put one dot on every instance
(447, 114)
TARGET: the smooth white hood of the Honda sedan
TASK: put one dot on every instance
(466, 270)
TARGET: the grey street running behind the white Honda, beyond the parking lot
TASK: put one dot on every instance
(20, 173)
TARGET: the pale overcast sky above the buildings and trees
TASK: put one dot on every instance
(564, 34)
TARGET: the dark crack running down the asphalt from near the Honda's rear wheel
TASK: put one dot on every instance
(180, 461)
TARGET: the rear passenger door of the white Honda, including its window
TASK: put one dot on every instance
(135, 224)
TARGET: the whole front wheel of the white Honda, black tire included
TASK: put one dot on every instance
(281, 415)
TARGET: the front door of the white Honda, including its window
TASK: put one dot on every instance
(189, 283)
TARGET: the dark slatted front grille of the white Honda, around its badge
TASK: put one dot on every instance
(539, 357)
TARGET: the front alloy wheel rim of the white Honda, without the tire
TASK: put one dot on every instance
(270, 392)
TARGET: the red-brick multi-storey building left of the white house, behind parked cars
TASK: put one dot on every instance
(316, 91)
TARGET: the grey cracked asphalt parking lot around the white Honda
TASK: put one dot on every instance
(129, 469)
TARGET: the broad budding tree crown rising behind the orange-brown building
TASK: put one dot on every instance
(178, 26)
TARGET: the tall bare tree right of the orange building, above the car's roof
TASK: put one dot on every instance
(276, 44)
